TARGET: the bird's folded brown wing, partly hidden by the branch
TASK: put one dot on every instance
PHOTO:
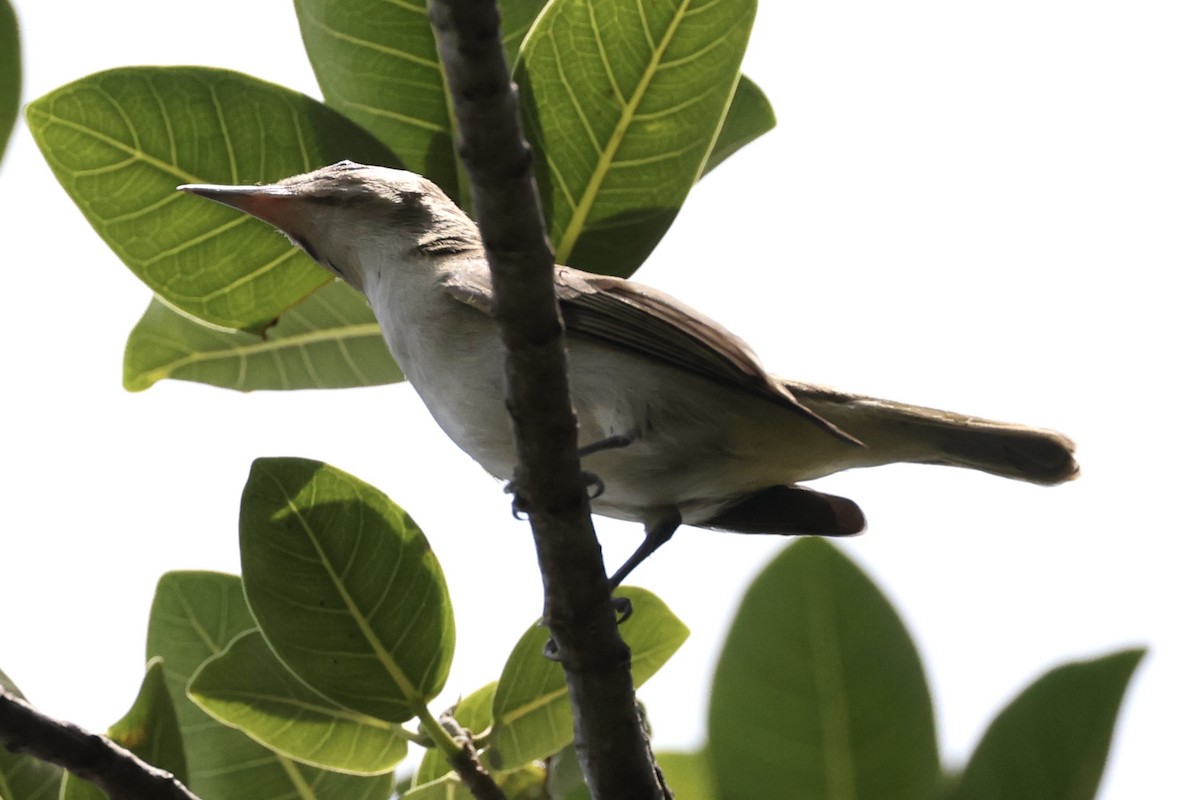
(650, 323)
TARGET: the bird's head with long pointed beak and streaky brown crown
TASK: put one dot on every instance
(353, 219)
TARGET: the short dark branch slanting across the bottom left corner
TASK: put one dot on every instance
(95, 759)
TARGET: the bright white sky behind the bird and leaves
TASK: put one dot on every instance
(987, 207)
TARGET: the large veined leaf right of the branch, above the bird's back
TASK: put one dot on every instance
(623, 103)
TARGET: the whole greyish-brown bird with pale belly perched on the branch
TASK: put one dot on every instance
(681, 422)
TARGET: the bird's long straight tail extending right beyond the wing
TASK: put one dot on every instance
(897, 432)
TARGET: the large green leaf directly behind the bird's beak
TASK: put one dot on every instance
(121, 142)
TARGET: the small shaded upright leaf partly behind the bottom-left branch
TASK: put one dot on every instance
(151, 731)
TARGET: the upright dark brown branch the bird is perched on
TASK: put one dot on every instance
(613, 745)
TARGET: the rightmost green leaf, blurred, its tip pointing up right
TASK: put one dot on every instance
(1053, 741)
